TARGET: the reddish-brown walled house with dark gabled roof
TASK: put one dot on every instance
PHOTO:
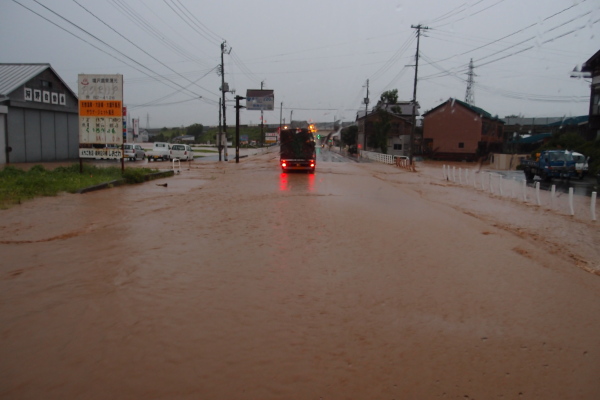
(455, 130)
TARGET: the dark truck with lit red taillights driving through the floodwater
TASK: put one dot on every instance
(297, 150)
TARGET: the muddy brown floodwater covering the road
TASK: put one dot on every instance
(362, 281)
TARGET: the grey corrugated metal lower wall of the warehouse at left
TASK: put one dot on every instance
(40, 135)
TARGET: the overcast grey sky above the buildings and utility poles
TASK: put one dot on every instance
(317, 55)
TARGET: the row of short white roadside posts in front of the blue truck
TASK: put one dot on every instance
(516, 188)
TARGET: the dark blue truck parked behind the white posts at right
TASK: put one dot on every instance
(550, 164)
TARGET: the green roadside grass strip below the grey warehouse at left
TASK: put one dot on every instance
(17, 185)
